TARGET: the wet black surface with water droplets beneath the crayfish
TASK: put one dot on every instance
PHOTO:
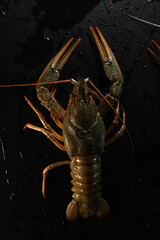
(31, 33)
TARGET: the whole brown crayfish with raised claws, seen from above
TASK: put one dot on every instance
(83, 129)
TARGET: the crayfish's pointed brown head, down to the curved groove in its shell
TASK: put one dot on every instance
(82, 110)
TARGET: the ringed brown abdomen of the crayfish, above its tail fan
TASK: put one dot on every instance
(86, 177)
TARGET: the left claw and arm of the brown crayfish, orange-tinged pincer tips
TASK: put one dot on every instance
(51, 73)
